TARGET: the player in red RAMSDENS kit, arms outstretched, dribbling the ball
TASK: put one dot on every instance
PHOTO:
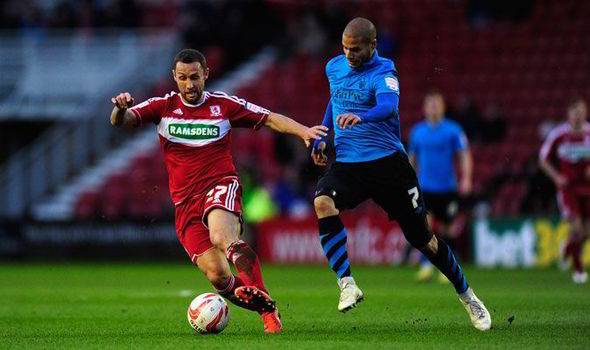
(194, 127)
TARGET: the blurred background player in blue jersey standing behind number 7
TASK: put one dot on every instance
(433, 145)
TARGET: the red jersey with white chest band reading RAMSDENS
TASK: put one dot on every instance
(196, 138)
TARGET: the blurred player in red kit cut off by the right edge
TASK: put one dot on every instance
(568, 146)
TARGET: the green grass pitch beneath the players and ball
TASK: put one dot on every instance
(141, 306)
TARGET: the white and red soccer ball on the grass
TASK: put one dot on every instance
(208, 313)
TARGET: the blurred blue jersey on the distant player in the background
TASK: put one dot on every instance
(434, 146)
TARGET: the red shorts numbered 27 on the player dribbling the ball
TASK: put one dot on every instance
(191, 215)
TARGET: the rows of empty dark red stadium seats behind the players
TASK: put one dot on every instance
(524, 66)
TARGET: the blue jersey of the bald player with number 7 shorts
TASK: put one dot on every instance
(354, 90)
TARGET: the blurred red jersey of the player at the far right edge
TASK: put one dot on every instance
(571, 150)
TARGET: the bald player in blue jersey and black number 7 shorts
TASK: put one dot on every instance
(371, 163)
